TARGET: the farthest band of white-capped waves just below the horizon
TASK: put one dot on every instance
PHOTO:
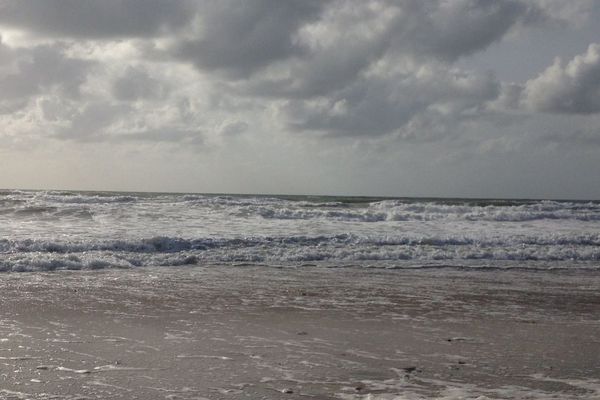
(306, 208)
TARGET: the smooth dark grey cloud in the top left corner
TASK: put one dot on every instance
(95, 19)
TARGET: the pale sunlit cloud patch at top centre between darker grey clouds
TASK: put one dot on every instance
(347, 39)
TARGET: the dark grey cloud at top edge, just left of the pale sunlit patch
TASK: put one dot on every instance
(240, 37)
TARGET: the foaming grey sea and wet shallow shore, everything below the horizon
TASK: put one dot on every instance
(108, 295)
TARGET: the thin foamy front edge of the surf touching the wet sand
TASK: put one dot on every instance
(99, 260)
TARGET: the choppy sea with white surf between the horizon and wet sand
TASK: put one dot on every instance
(49, 230)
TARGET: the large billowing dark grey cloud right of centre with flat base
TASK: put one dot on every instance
(369, 68)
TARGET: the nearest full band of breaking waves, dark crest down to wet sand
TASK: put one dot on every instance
(30, 254)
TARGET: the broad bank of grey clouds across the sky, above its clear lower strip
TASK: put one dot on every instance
(196, 71)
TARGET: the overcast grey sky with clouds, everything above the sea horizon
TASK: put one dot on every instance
(454, 98)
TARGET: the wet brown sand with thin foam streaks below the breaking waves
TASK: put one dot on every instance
(250, 332)
